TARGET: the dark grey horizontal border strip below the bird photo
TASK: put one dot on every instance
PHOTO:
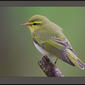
(42, 80)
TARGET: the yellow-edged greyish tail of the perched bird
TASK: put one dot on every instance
(75, 59)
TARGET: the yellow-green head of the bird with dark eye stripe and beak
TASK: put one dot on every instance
(36, 22)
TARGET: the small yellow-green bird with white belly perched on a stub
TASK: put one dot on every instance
(49, 39)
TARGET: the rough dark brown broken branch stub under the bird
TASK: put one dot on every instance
(49, 68)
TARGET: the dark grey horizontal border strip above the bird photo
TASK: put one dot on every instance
(42, 3)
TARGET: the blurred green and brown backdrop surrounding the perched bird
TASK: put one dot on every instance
(18, 55)
